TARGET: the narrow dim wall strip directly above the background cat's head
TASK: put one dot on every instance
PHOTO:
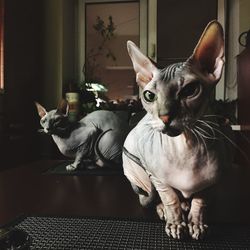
(52, 58)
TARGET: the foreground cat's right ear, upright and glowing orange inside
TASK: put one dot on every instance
(209, 52)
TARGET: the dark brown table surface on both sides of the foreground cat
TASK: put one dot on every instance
(26, 190)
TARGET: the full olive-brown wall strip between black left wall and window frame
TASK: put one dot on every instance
(59, 44)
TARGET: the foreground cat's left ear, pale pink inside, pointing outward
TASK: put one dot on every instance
(143, 67)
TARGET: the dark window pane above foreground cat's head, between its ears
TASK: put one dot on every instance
(177, 37)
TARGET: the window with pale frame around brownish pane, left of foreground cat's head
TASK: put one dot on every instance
(117, 75)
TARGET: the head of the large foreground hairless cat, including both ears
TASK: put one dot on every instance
(178, 95)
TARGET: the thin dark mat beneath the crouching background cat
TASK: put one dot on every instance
(60, 169)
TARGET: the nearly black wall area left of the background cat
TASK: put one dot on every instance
(22, 79)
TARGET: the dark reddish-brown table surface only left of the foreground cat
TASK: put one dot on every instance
(27, 190)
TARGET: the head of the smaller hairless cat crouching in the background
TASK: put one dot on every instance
(54, 121)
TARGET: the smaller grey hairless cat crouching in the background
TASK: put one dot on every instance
(95, 139)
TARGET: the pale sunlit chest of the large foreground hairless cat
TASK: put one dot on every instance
(171, 161)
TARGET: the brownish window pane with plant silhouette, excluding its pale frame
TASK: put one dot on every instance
(108, 27)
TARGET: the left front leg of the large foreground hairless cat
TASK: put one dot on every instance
(175, 222)
